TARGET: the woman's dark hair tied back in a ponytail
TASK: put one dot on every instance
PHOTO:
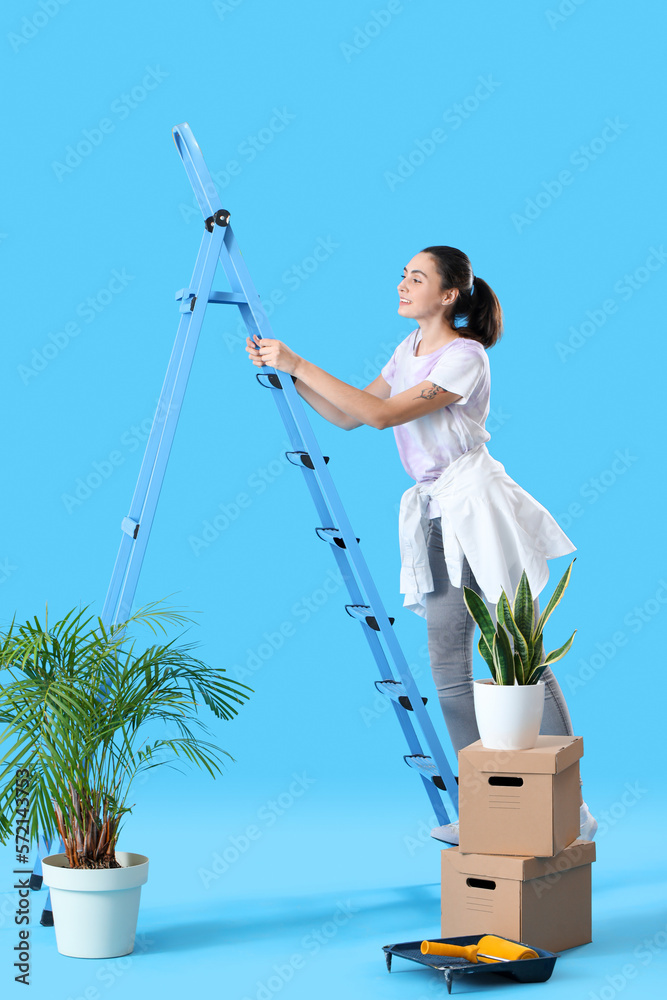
(481, 310)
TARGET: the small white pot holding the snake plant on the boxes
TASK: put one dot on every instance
(509, 716)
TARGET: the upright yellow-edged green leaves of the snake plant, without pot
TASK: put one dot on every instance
(514, 648)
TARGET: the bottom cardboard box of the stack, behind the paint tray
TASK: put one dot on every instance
(544, 902)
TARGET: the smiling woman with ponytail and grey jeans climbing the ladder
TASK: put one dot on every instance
(464, 522)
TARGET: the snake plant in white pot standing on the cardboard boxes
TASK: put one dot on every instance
(509, 707)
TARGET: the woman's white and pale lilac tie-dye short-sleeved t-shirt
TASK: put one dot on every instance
(428, 444)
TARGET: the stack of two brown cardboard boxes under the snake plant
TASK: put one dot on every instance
(519, 870)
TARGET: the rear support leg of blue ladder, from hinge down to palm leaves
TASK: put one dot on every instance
(157, 473)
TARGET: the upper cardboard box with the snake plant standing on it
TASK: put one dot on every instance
(520, 802)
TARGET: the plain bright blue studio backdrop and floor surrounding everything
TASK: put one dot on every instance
(337, 98)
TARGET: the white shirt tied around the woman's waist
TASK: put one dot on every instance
(486, 517)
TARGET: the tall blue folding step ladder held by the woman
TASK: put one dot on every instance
(219, 245)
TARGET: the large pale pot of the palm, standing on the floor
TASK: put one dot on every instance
(95, 910)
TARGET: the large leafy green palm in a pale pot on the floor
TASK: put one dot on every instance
(79, 707)
